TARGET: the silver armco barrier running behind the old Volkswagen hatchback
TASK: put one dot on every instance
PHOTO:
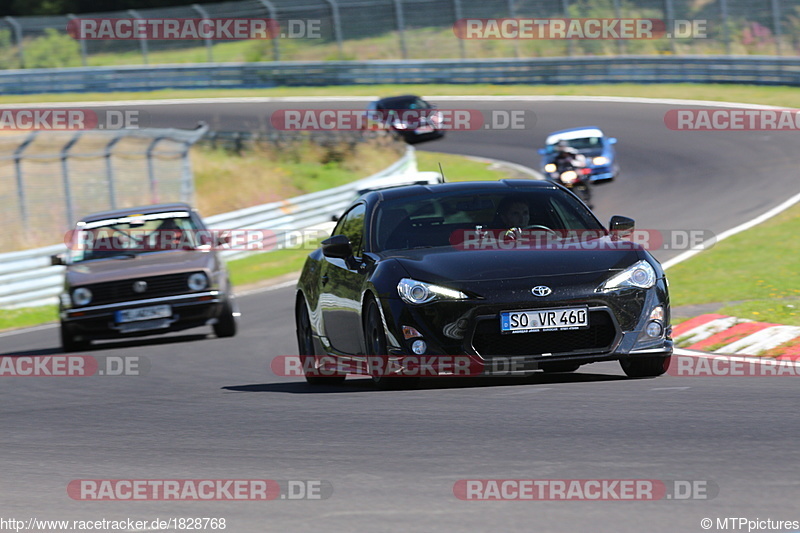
(27, 278)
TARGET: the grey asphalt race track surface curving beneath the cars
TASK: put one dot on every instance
(211, 408)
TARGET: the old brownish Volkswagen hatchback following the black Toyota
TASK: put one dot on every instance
(143, 271)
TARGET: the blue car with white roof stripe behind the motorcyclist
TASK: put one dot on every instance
(593, 144)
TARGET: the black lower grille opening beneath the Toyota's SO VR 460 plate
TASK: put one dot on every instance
(598, 338)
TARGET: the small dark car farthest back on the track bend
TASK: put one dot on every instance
(409, 116)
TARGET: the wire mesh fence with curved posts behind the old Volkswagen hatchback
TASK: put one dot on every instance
(49, 179)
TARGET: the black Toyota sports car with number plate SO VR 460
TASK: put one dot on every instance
(478, 278)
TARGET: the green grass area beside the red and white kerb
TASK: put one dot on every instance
(754, 274)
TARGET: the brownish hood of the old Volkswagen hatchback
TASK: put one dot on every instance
(140, 266)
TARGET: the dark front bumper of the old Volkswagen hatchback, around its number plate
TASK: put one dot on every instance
(188, 311)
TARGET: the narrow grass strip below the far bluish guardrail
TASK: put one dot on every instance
(779, 96)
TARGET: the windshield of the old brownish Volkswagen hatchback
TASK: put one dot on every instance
(133, 235)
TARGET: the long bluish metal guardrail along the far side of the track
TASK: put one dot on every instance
(760, 70)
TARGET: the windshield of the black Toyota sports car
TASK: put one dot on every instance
(442, 219)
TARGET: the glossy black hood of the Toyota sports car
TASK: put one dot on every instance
(461, 268)
